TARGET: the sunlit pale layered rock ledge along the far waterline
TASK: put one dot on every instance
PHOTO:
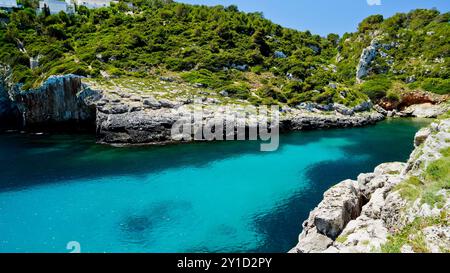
(143, 119)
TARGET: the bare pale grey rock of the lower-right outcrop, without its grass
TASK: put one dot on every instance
(384, 211)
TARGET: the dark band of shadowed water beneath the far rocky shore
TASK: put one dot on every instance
(30, 160)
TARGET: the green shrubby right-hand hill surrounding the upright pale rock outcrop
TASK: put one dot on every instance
(413, 53)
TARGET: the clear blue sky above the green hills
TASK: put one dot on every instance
(325, 16)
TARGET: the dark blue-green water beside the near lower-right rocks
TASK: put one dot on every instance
(369, 149)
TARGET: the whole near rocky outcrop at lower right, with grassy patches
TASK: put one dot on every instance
(400, 207)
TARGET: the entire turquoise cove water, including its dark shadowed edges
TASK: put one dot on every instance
(207, 197)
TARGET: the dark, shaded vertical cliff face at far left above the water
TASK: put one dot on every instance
(61, 102)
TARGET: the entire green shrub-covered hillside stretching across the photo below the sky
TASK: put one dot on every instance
(224, 49)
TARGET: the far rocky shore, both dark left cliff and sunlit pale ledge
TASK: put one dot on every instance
(120, 118)
